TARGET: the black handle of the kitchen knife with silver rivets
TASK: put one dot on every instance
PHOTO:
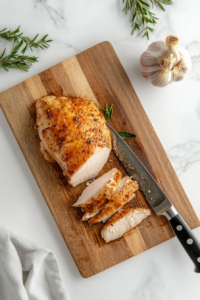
(187, 239)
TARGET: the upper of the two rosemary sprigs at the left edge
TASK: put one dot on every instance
(18, 37)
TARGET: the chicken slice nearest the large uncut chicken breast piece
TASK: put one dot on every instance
(98, 192)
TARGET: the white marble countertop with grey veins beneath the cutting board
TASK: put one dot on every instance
(164, 272)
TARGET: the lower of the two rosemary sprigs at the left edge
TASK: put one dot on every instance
(15, 61)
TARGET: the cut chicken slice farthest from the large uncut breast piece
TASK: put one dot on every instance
(122, 222)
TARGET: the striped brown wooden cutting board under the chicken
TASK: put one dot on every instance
(95, 74)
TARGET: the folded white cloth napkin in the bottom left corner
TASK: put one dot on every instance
(28, 271)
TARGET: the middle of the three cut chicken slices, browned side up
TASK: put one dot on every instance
(123, 194)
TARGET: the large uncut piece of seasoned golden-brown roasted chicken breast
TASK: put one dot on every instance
(75, 135)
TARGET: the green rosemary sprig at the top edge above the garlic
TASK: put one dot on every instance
(141, 15)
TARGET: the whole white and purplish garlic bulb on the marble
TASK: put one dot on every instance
(162, 63)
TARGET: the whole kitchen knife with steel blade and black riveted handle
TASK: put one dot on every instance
(156, 197)
